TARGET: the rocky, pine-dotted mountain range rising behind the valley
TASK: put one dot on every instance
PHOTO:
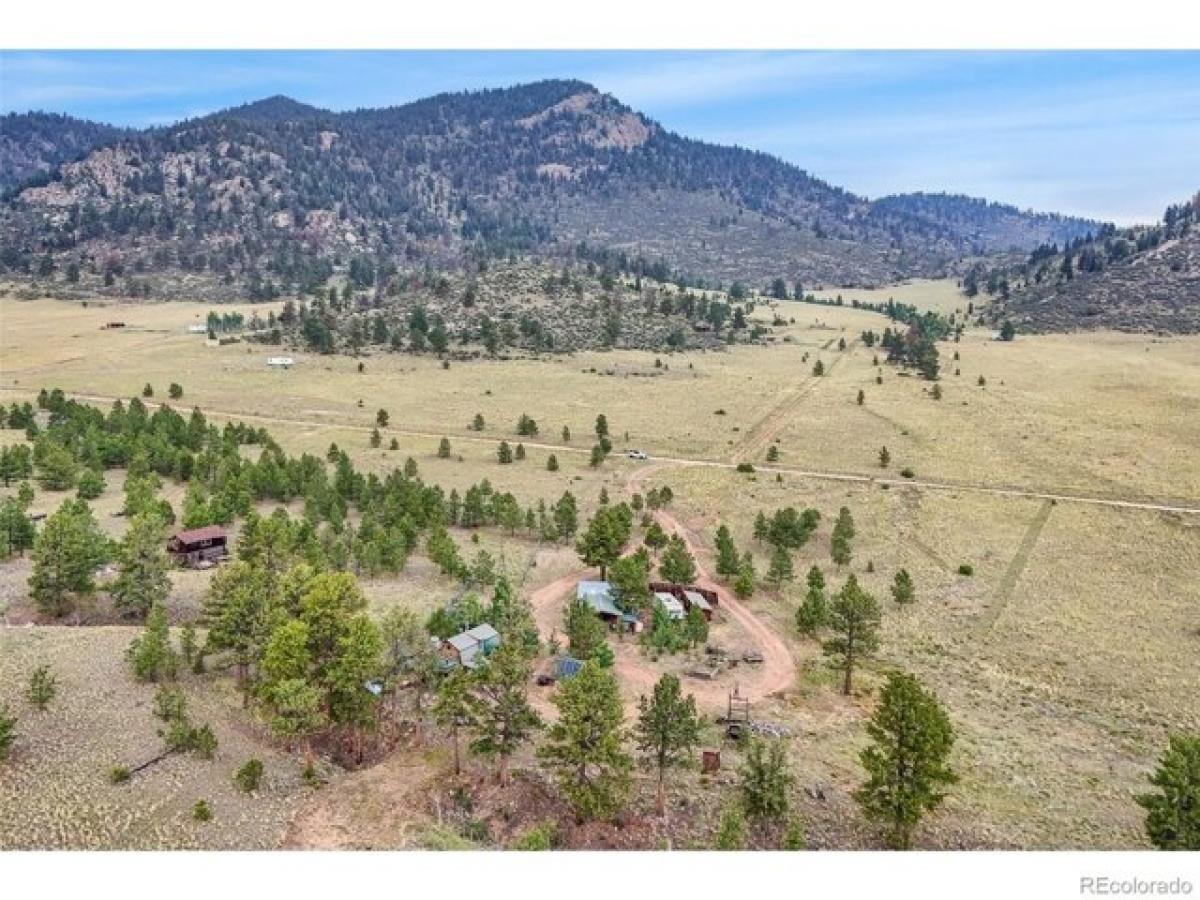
(281, 190)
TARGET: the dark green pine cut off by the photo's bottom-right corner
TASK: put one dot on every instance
(1173, 813)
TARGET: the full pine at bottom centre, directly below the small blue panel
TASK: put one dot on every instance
(585, 747)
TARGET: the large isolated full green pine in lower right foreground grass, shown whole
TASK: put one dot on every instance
(907, 761)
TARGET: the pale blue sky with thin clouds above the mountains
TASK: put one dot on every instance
(1114, 136)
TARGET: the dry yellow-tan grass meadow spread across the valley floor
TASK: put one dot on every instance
(1065, 661)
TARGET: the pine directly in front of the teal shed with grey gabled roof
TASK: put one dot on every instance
(501, 712)
